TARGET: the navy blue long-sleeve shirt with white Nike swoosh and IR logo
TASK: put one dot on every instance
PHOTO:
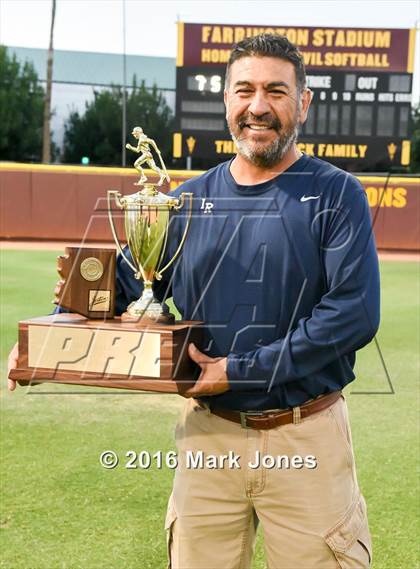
(284, 275)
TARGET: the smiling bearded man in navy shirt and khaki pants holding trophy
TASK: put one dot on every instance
(281, 266)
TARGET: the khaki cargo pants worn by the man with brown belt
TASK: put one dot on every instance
(311, 518)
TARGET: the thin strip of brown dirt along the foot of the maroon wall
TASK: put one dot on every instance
(60, 245)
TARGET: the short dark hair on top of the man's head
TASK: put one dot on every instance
(269, 45)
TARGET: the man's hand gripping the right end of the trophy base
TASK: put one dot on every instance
(213, 379)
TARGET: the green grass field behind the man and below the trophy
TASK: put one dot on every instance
(61, 509)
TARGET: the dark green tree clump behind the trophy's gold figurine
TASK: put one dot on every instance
(97, 133)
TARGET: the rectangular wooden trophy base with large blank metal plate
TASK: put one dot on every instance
(69, 348)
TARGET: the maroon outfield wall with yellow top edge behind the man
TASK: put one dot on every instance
(68, 203)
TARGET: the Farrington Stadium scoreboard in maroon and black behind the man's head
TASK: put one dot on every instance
(361, 79)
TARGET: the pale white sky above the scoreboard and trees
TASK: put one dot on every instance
(97, 25)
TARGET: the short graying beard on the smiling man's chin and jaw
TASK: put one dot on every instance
(271, 155)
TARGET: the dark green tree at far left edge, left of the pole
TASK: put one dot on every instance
(21, 110)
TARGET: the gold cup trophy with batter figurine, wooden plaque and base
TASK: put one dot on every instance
(144, 349)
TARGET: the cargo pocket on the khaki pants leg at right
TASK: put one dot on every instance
(350, 539)
